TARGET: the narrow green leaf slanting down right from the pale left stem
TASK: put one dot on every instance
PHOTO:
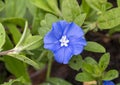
(25, 59)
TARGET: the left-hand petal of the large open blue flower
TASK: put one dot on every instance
(50, 38)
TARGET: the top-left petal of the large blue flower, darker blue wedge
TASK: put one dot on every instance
(58, 28)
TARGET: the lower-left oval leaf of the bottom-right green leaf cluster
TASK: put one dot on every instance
(84, 77)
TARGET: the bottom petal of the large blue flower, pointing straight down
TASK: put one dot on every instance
(63, 55)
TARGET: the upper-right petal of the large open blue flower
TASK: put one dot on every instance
(73, 30)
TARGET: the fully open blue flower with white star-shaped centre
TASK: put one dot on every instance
(65, 40)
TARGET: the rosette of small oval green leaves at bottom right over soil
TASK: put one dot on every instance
(95, 71)
